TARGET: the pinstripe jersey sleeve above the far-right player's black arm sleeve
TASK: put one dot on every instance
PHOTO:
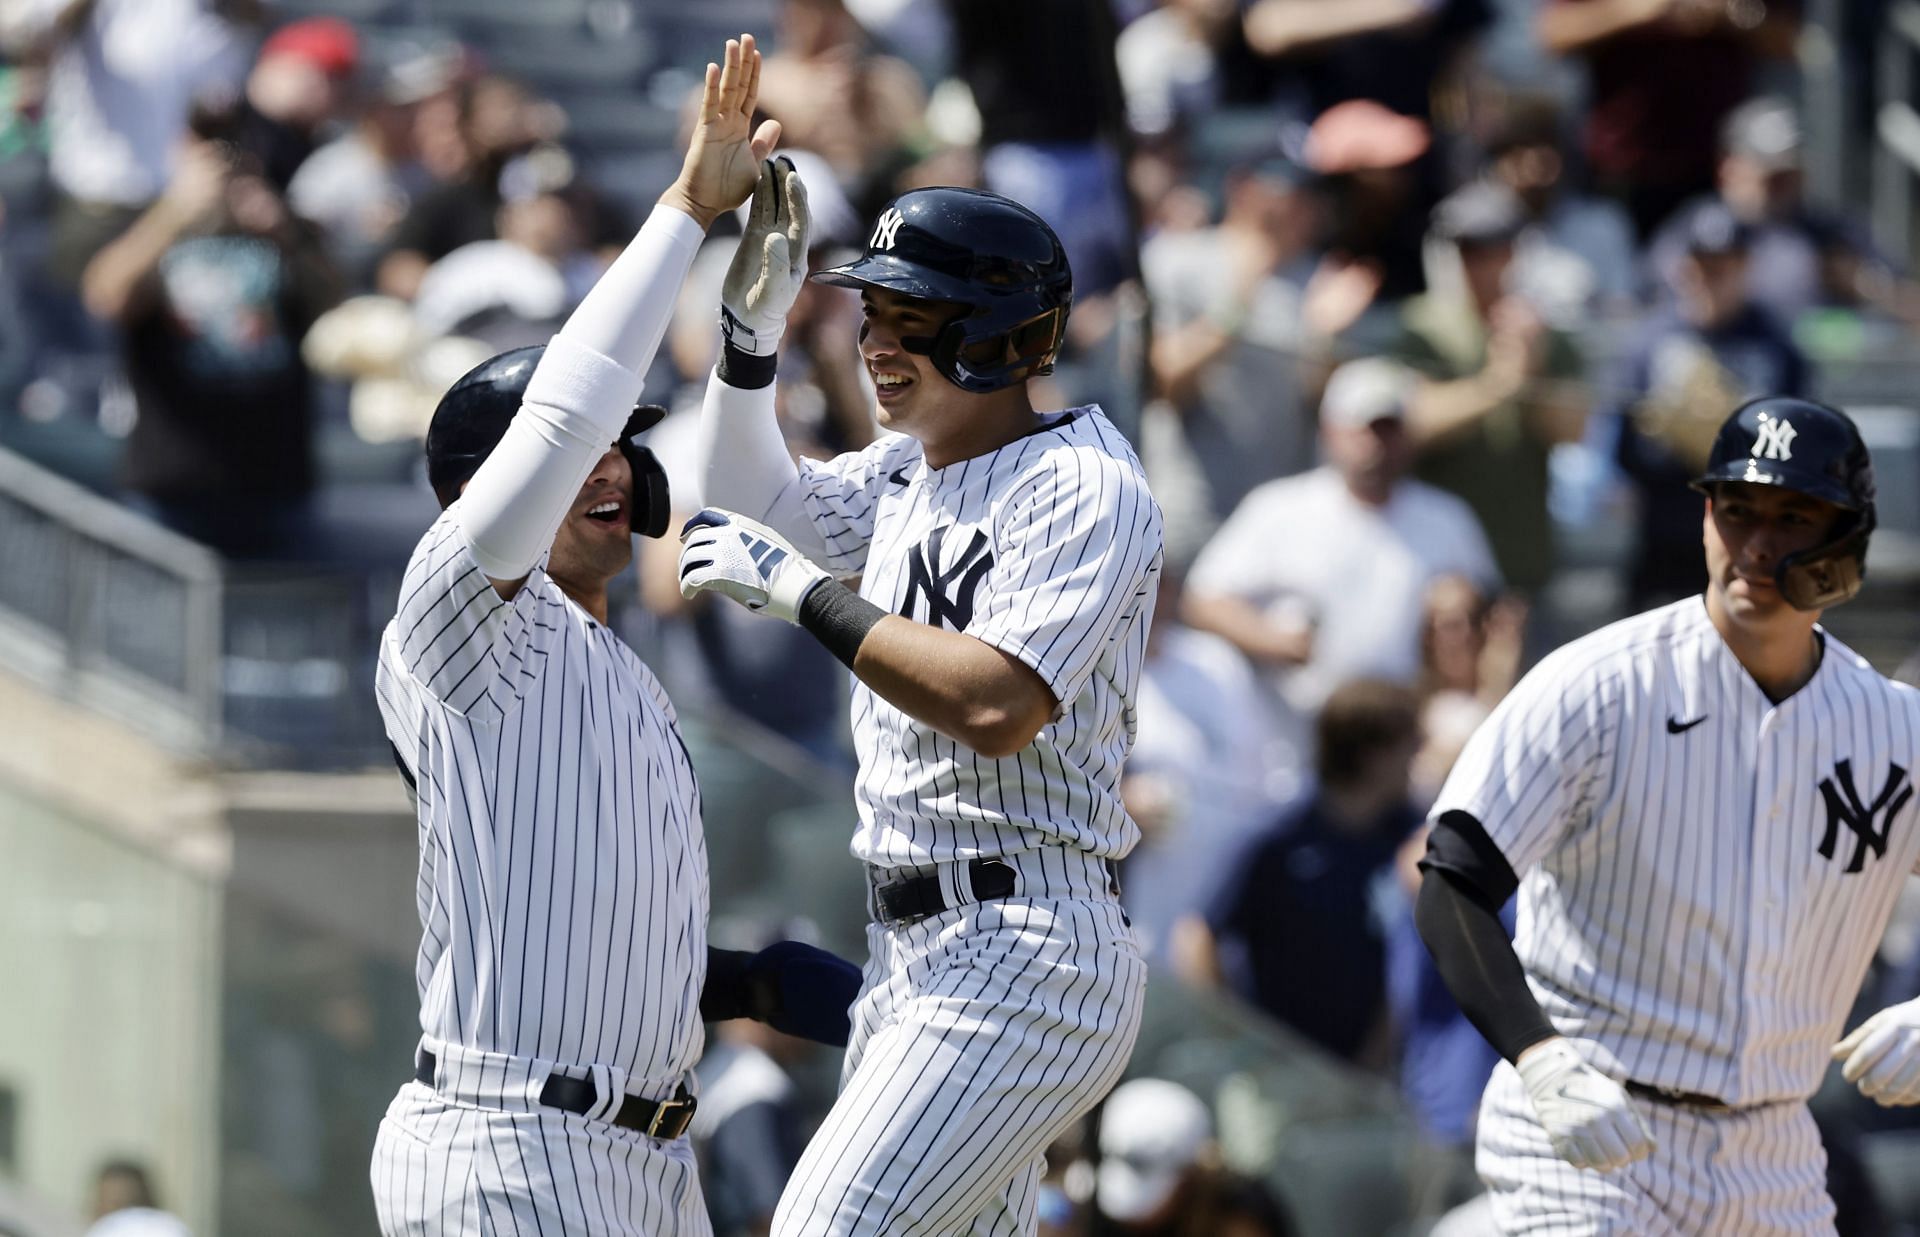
(1527, 769)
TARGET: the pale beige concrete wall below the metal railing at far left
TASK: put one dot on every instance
(110, 921)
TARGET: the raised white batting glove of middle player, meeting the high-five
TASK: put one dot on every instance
(771, 262)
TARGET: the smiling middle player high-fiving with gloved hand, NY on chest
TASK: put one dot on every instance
(1007, 568)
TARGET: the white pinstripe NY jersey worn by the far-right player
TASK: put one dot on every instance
(1704, 875)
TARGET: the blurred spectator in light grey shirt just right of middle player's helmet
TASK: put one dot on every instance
(1228, 320)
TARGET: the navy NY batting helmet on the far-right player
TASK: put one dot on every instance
(1813, 450)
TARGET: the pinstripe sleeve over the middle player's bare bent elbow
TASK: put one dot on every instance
(1074, 550)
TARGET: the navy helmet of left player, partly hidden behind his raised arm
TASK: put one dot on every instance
(473, 418)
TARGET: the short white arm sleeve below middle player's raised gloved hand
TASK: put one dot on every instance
(750, 468)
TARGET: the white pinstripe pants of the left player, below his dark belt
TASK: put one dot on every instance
(454, 1165)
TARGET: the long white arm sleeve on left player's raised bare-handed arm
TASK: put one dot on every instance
(577, 402)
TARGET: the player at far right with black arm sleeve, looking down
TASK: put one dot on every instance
(1710, 815)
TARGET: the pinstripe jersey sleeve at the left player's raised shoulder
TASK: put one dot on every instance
(458, 639)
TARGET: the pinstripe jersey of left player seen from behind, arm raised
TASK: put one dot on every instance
(564, 871)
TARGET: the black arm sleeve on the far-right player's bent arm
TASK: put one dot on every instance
(1458, 913)
